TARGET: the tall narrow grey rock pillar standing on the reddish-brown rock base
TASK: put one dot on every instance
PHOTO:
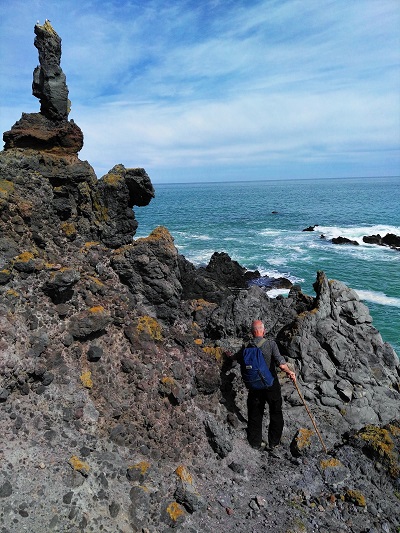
(49, 82)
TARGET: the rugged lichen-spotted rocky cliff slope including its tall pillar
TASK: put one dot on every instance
(118, 408)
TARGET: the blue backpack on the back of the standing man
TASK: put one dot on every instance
(255, 372)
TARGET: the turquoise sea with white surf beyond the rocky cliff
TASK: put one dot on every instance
(260, 224)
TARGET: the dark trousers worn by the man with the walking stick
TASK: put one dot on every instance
(256, 401)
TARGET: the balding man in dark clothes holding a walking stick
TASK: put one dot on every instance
(257, 398)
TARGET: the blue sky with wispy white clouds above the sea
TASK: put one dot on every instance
(219, 89)
